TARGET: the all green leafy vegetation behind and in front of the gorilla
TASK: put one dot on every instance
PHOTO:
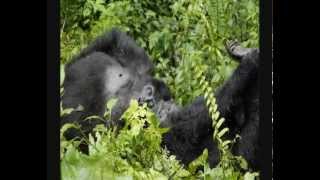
(185, 40)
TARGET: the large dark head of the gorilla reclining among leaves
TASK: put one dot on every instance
(113, 66)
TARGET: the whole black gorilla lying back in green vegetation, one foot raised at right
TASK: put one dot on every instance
(114, 66)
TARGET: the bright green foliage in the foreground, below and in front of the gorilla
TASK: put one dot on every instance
(135, 152)
